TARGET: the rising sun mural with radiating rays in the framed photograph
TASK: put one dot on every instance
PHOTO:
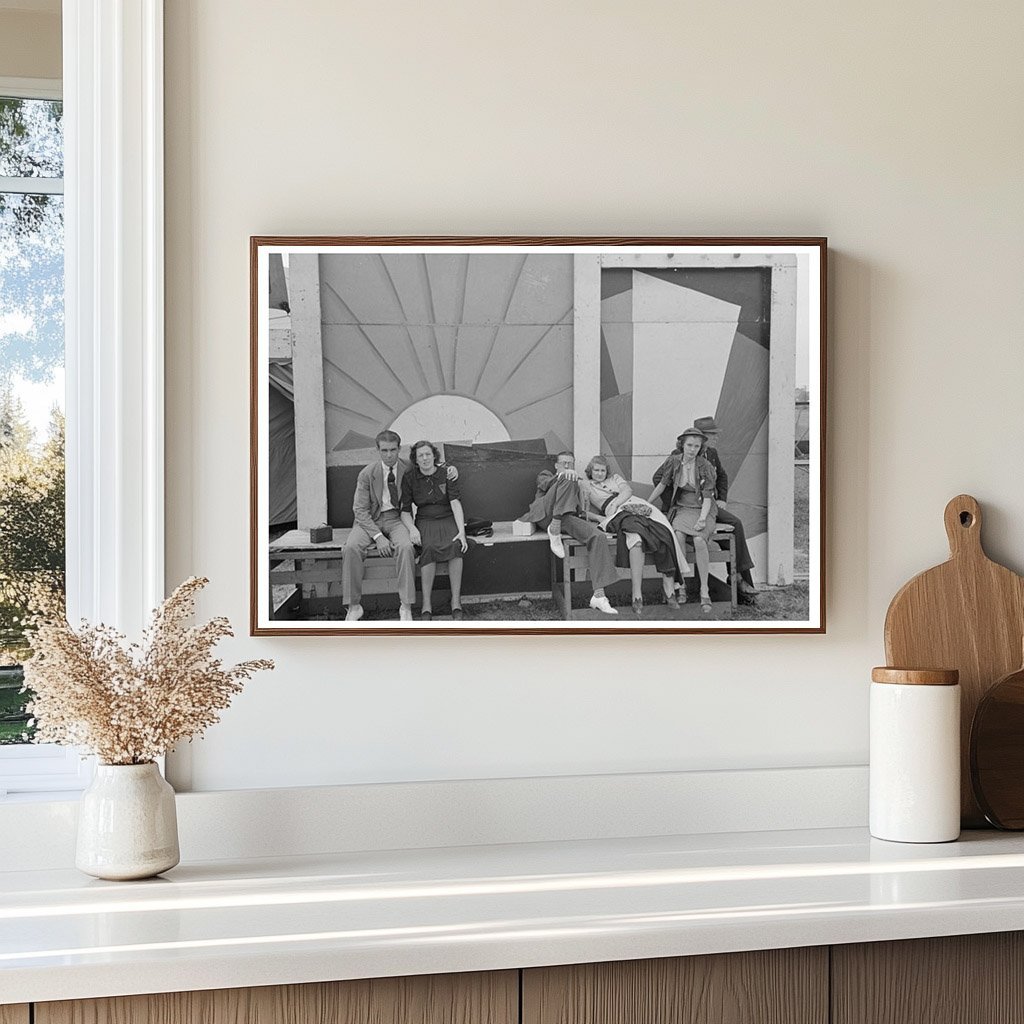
(466, 348)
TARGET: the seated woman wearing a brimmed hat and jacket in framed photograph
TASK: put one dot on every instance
(691, 479)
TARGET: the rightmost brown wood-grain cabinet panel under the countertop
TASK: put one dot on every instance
(964, 979)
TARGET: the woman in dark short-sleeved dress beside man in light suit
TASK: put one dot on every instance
(440, 530)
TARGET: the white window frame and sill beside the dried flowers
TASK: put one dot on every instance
(114, 325)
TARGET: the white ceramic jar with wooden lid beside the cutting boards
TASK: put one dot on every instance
(916, 755)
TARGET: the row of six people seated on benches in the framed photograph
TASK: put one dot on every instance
(411, 510)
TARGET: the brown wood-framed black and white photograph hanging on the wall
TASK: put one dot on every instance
(538, 436)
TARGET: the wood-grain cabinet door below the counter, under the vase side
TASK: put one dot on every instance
(446, 999)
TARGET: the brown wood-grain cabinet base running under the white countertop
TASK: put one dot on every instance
(972, 979)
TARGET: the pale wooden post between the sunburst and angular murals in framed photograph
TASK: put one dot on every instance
(586, 355)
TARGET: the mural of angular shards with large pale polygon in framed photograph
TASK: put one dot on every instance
(677, 345)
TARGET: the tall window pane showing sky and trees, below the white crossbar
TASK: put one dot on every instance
(32, 482)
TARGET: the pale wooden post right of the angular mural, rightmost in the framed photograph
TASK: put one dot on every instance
(782, 423)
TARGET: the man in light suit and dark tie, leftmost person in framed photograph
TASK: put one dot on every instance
(378, 524)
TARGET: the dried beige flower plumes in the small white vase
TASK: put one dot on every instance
(129, 705)
